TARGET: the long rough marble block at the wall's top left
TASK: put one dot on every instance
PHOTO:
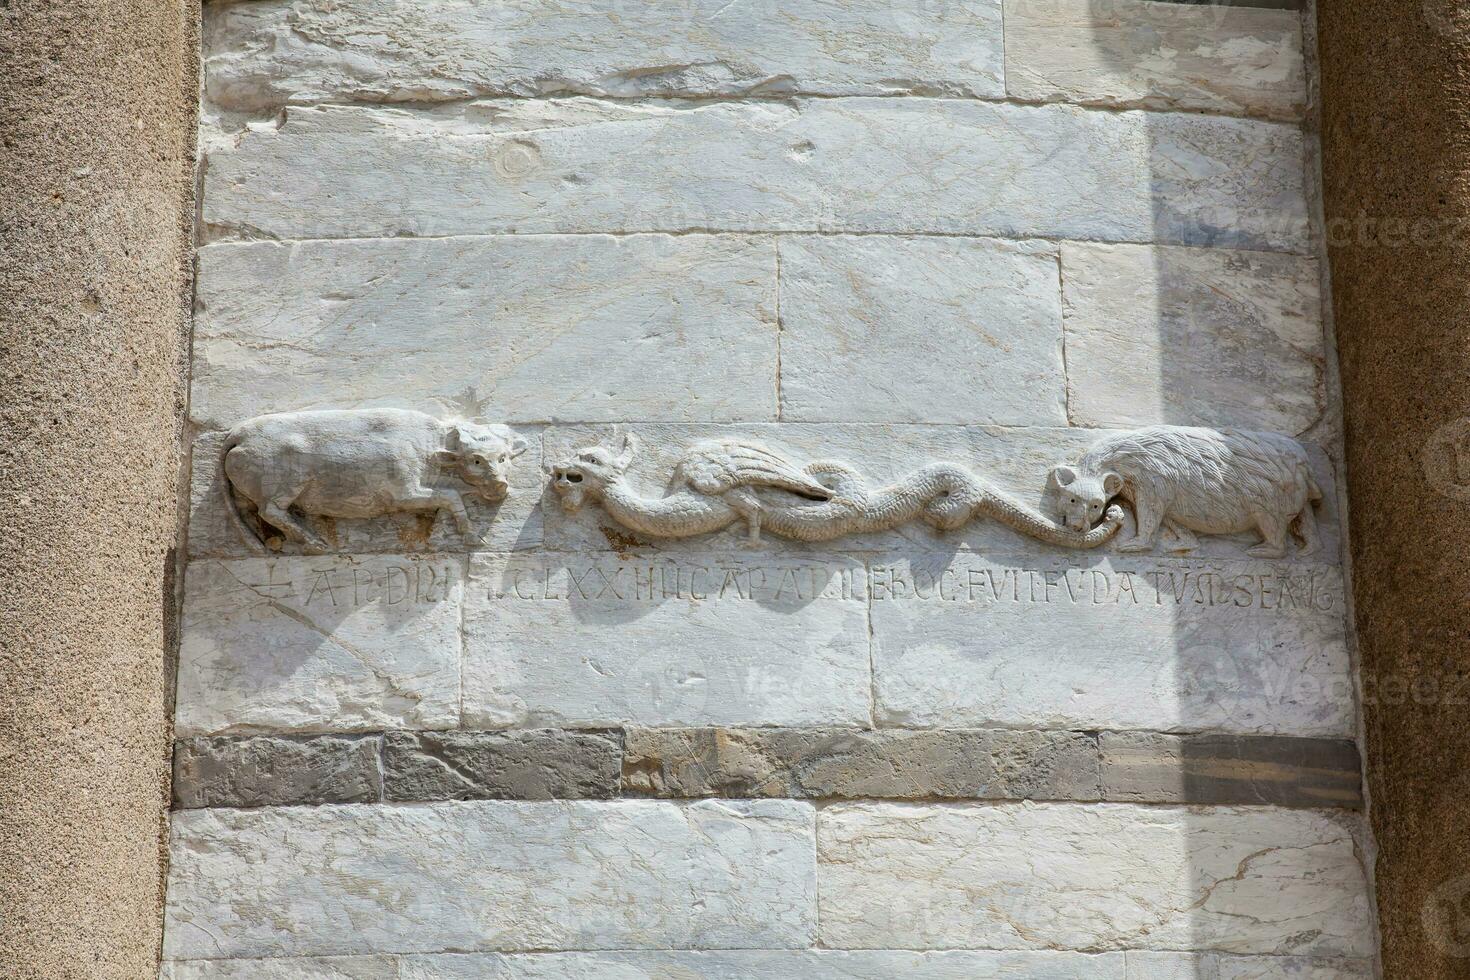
(262, 55)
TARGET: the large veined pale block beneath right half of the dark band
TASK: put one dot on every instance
(1071, 876)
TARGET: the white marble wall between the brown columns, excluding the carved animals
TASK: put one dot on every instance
(975, 233)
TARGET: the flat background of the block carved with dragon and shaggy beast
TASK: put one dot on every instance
(1014, 461)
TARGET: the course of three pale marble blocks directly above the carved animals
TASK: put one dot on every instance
(537, 328)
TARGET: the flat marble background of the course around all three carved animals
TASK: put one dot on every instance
(1014, 459)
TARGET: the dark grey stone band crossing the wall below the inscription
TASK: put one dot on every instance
(282, 771)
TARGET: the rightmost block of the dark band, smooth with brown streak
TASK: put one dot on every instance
(1225, 769)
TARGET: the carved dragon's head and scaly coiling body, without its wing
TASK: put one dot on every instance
(942, 494)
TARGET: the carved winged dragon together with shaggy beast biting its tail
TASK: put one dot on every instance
(1184, 481)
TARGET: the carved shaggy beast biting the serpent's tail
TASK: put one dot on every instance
(1196, 481)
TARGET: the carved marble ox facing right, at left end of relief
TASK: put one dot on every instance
(359, 464)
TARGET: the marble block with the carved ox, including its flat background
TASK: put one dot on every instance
(362, 483)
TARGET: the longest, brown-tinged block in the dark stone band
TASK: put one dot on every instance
(834, 765)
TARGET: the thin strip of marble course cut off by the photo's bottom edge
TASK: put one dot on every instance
(759, 965)
